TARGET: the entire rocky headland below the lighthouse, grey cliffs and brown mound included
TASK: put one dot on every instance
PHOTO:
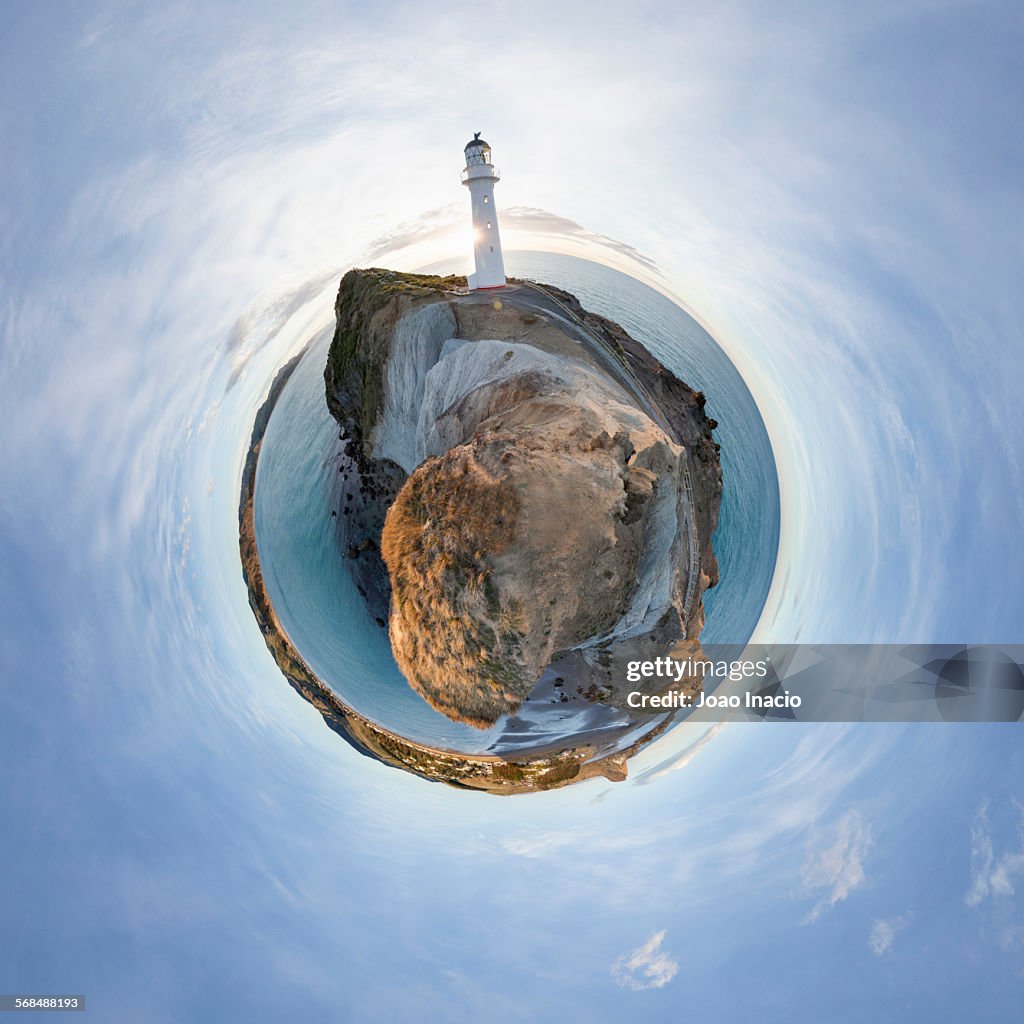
(545, 510)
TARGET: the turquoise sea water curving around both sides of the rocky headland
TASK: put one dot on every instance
(309, 581)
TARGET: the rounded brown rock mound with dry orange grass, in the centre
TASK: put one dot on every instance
(522, 540)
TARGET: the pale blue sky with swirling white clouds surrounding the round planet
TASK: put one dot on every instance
(835, 192)
